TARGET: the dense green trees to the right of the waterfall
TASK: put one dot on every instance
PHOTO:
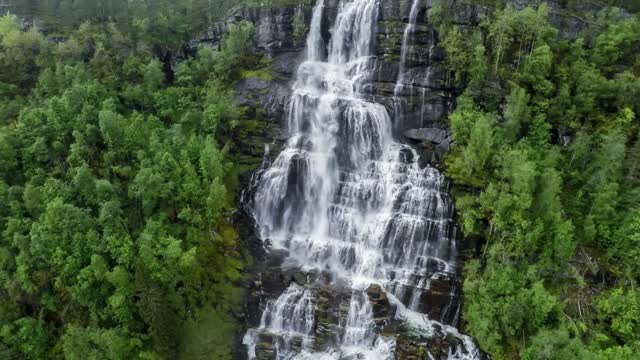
(547, 167)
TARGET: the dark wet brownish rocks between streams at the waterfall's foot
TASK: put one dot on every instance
(331, 306)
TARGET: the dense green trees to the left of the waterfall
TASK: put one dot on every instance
(116, 185)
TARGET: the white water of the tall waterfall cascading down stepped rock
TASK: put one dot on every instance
(347, 200)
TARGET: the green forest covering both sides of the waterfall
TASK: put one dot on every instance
(118, 178)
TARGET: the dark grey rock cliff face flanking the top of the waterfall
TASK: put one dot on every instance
(423, 103)
